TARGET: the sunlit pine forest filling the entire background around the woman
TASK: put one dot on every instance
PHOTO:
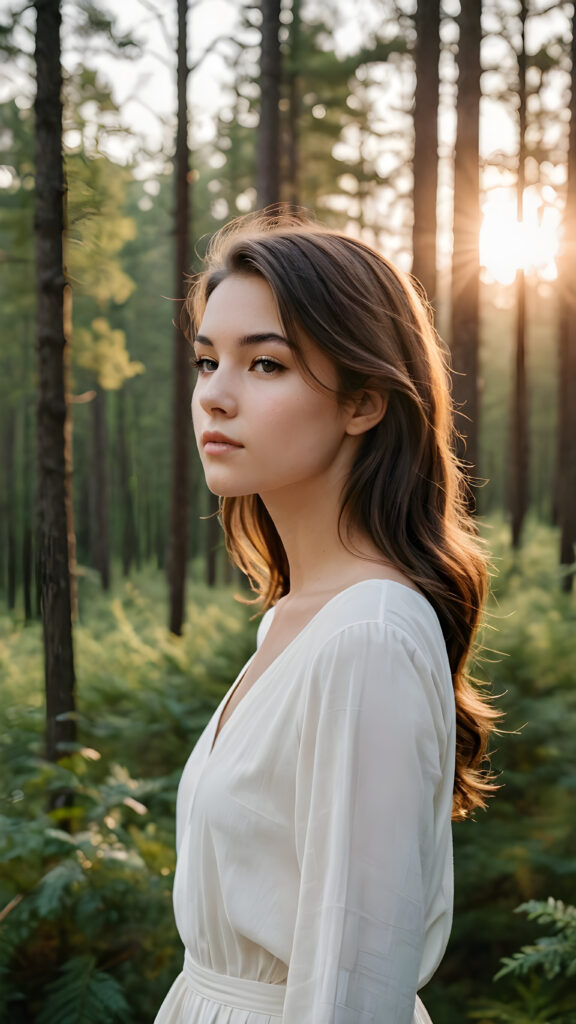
(444, 135)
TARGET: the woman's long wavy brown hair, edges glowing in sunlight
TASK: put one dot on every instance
(406, 490)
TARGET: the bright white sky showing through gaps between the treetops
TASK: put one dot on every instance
(145, 89)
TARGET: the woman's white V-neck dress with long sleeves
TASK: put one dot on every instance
(314, 881)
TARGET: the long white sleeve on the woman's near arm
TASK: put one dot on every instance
(373, 825)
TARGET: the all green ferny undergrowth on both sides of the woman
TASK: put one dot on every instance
(105, 890)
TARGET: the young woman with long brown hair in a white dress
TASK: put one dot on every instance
(314, 879)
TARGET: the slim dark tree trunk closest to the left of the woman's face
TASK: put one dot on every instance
(181, 418)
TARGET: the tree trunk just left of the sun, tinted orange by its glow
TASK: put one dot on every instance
(466, 260)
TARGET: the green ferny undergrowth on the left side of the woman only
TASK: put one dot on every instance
(88, 925)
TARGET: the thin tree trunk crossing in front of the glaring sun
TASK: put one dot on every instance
(519, 448)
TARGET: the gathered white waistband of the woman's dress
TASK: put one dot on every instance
(242, 994)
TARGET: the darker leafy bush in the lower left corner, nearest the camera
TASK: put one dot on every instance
(92, 894)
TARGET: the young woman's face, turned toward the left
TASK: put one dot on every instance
(261, 426)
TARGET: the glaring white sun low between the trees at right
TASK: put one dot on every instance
(507, 245)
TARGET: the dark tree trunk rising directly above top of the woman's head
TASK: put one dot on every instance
(269, 132)
